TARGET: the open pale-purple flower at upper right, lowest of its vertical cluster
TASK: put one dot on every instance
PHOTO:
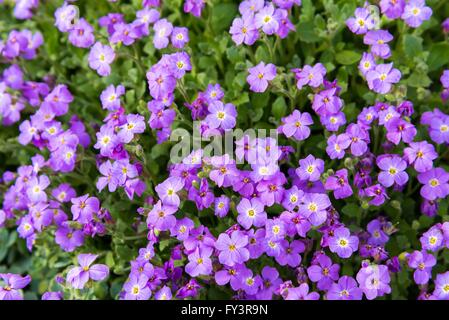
(381, 78)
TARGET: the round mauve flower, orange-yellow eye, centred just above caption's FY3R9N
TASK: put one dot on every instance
(232, 248)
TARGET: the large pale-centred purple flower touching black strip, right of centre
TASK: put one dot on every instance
(374, 281)
